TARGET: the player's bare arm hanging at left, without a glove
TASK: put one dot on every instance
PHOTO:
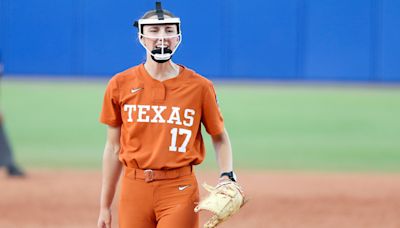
(111, 171)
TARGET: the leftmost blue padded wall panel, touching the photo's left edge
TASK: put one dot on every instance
(39, 37)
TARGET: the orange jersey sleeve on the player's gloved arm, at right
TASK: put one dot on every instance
(211, 114)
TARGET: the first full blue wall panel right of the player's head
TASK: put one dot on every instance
(262, 40)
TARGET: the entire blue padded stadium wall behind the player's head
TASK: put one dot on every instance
(356, 40)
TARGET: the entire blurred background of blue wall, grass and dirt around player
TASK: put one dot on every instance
(309, 89)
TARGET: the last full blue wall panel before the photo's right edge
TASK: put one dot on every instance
(338, 40)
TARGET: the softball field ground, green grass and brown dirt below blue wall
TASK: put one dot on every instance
(306, 155)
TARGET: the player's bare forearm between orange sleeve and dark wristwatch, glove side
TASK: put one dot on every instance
(223, 150)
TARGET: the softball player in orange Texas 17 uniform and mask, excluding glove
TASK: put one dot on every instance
(154, 113)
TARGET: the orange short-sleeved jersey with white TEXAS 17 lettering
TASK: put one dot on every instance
(161, 121)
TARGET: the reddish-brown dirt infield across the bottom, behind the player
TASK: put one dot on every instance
(277, 199)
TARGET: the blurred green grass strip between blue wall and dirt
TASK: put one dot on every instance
(277, 127)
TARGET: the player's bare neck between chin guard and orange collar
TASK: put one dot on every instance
(161, 71)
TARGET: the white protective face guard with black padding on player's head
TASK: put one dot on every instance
(165, 54)
